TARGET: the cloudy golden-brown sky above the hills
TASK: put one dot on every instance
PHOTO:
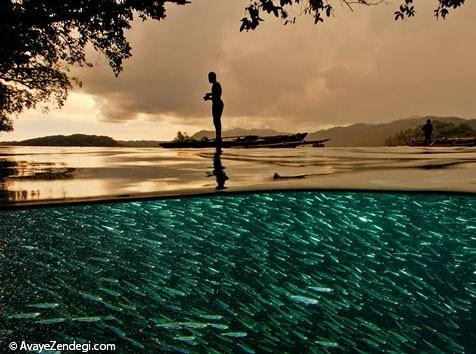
(359, 66)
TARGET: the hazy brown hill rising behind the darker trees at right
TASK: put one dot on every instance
(362, 134)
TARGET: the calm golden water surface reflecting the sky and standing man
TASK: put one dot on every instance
(45, 174)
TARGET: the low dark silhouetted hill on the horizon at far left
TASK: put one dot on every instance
(67, 140)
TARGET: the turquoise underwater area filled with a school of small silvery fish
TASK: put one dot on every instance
(273, 272)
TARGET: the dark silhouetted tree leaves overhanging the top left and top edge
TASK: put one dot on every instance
(40, 38)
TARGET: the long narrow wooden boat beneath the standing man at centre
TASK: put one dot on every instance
(247, 141)
